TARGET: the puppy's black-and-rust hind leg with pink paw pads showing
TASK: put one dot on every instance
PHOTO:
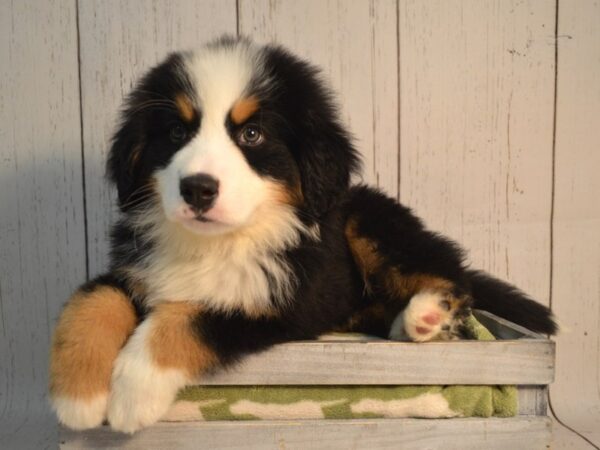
(414, 279)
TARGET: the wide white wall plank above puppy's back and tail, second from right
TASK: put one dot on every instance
(476, 102)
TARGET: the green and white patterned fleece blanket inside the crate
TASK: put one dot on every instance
(346, 402)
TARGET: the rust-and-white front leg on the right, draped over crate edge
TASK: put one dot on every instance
(163, 355)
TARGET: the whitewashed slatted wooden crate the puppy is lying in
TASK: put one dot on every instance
(519, 357)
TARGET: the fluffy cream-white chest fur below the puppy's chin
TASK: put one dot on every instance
(244, 271)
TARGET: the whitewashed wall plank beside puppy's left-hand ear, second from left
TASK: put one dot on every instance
(121, 40)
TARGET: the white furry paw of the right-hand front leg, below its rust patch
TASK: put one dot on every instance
(141, 391)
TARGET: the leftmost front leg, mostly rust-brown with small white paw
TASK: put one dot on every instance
(91, 330)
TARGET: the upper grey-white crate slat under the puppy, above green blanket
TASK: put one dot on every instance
(525, 361)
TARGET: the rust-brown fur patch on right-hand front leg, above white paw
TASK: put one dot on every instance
(173, 342)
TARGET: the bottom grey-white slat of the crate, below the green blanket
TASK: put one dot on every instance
(527, 433)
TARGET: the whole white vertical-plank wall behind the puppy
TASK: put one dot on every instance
(452, 104)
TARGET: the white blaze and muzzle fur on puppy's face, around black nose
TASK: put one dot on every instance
(220, 76)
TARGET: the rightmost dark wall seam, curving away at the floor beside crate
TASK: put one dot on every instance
(552, 201)
